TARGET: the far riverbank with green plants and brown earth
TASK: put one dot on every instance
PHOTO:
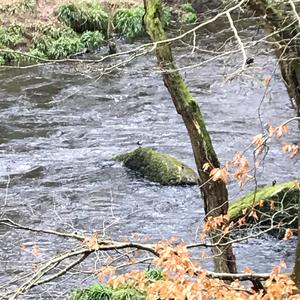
(33, 30)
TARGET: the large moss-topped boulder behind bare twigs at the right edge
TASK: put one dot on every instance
(271, 205)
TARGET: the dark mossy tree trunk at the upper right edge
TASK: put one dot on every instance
(280, 20)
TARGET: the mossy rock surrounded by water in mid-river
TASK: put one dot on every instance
(158, 167)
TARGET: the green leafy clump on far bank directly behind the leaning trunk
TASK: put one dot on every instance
(129, 21)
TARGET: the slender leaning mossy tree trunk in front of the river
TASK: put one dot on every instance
(214, 193)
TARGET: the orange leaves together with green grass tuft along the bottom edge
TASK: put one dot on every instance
(178, 277)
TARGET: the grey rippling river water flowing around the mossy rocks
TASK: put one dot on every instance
(59, 130)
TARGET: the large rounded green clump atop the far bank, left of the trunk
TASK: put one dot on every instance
(83, 16)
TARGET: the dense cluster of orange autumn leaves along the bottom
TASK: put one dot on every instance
(184, 279)
